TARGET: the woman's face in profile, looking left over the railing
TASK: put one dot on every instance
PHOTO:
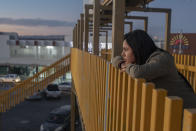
(127, 53)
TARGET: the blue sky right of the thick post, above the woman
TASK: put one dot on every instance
(183, 17)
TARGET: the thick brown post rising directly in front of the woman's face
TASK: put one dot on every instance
(117, 26)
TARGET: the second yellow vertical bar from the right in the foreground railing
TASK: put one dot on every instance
(173, 113)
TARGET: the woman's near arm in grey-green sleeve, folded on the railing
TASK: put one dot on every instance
(156, 66)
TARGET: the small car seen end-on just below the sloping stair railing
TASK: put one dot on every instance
(52, 91)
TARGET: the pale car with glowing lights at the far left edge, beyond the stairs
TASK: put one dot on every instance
(10, 78)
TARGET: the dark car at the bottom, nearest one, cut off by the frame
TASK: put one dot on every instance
(58, 120)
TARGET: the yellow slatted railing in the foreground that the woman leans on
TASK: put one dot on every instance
(110, 100)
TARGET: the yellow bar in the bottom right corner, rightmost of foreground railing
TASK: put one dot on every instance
(189, 122)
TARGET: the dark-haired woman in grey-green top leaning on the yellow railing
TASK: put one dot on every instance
(141, 58)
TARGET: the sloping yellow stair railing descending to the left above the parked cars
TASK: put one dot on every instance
(39, 81)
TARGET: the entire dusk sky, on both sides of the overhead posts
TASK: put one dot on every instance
(48, 17)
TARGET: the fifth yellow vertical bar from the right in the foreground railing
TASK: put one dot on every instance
(137, 104)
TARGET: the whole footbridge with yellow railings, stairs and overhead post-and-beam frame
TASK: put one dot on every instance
(110, 100)
